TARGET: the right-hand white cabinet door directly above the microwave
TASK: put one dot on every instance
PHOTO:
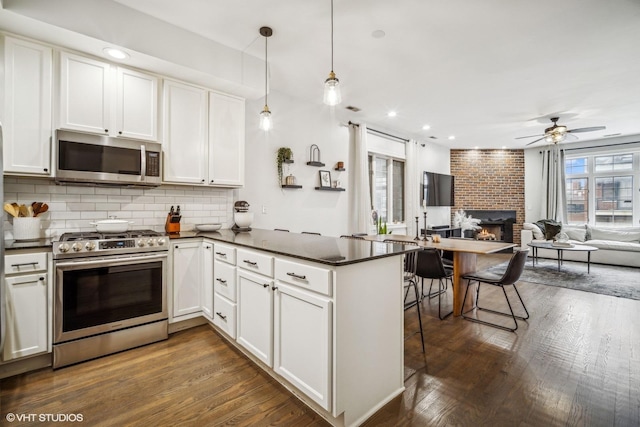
(137, 105)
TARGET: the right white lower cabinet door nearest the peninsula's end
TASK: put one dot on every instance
(302, 341)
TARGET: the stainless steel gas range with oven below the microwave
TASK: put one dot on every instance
(110, 293)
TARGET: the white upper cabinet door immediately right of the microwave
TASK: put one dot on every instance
(185, 133)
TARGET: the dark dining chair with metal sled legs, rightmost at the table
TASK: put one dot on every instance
(509, 278)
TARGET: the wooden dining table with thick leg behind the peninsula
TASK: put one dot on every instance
(465, 253)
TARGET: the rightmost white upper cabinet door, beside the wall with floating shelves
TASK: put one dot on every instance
(226, 140)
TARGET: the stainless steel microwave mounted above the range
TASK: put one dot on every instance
(104, 160)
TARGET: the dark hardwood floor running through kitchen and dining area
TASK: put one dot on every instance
(575, 362)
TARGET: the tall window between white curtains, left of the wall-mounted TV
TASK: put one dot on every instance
(386, 183)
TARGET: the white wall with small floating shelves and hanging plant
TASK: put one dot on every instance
(296, 125)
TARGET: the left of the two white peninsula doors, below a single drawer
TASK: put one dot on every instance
(255, 314)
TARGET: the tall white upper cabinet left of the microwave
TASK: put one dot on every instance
(27, 107)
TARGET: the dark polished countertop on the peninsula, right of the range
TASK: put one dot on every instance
(322, 249)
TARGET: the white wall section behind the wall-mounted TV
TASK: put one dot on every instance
(433, 158)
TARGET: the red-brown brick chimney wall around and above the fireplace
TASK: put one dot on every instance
(490, 179)
